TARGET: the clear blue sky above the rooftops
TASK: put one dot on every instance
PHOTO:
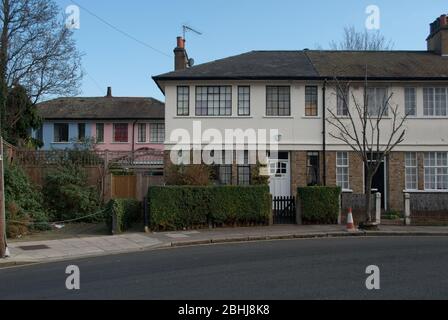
(230, 27)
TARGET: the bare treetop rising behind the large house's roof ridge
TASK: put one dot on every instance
(362, 41)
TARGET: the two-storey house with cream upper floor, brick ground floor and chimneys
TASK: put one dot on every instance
(291, 91)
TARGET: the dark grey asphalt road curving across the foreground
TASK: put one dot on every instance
(411, 268)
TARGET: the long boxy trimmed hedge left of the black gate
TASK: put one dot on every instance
(185, 207)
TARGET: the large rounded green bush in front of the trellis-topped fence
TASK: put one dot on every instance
(67, 194)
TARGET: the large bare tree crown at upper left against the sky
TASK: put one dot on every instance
(37, 50)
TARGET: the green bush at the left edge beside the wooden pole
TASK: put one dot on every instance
(24, 203)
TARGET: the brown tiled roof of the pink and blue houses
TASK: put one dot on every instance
(102, 108)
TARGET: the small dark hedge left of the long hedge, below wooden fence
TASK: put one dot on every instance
(126, 212)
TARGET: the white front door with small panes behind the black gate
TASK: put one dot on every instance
(280, 176)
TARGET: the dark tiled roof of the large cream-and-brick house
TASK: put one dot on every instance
(318, 64)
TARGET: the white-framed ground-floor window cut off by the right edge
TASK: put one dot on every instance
(436, 171)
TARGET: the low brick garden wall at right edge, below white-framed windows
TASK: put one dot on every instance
(429, 208)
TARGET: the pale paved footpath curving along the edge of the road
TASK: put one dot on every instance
(23, 253)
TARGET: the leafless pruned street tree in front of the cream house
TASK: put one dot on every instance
(363, 128)
